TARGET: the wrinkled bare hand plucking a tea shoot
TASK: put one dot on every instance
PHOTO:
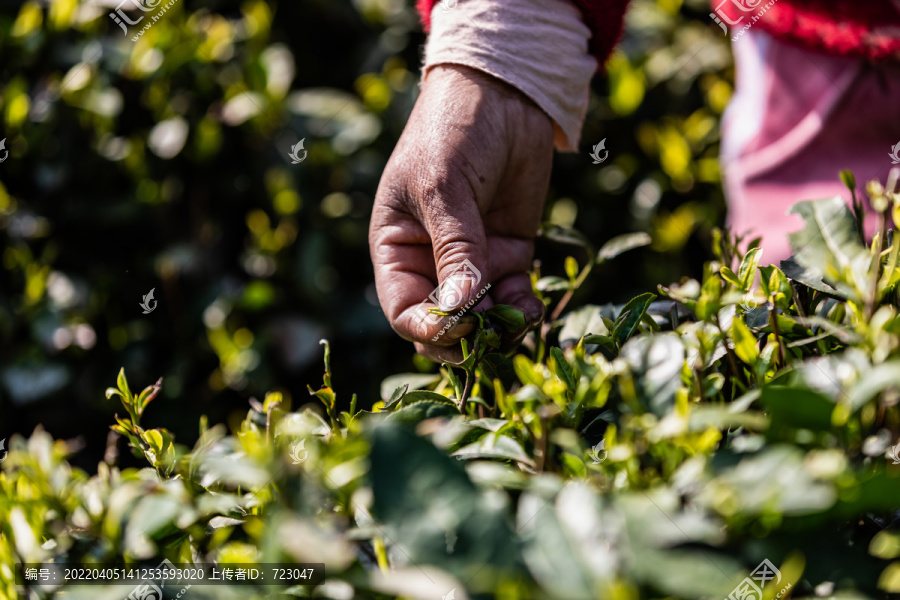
(466, 182)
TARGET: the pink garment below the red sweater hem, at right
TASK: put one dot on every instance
(796, 120)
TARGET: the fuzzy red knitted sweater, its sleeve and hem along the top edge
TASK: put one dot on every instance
(868, 29)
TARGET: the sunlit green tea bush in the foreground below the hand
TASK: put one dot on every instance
(663, 448)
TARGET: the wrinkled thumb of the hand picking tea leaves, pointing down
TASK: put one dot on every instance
(460, 253)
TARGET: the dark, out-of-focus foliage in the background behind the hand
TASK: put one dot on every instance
(163, 164)
